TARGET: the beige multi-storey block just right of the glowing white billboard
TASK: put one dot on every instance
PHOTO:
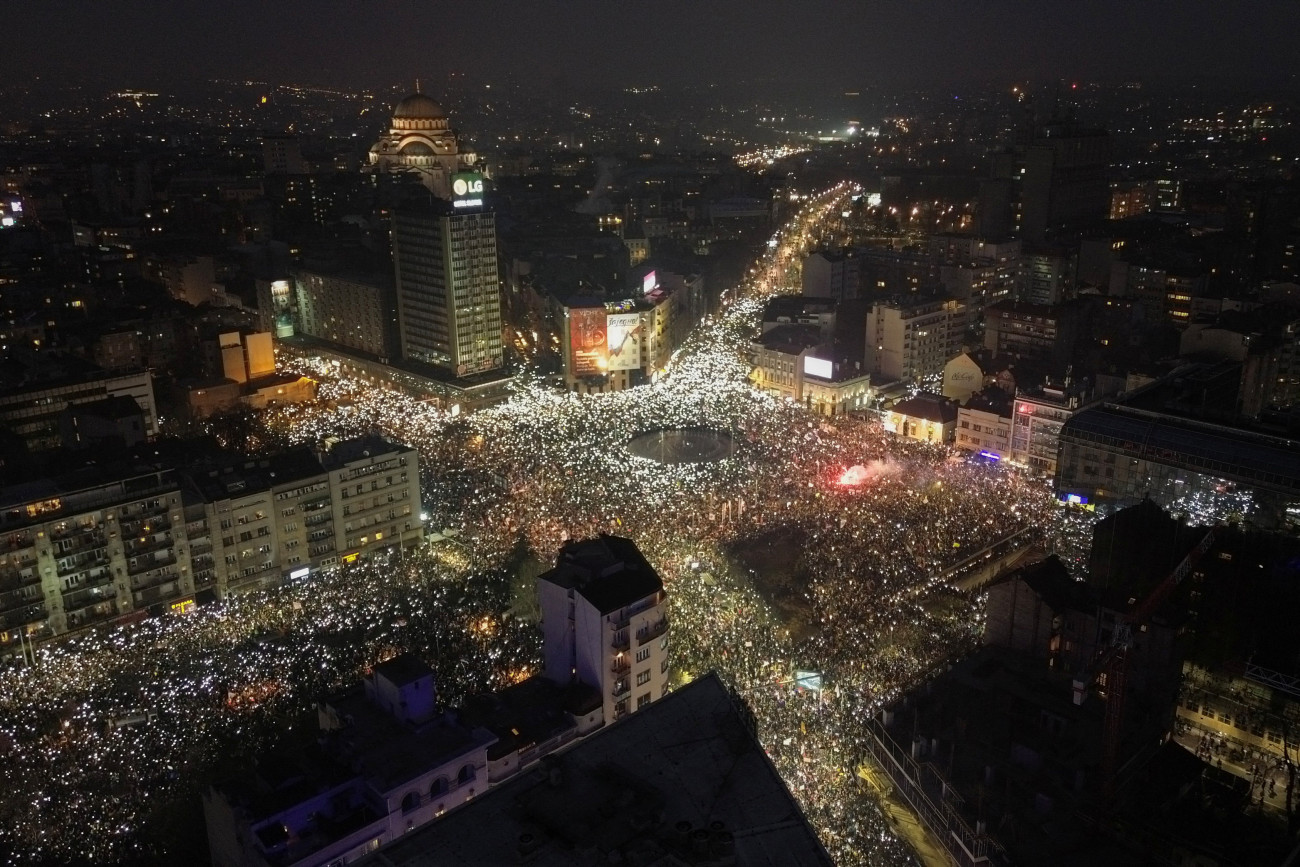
(913, 339)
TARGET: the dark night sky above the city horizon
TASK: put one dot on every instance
(674, 42)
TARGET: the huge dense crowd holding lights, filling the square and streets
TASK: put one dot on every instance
(109, 729)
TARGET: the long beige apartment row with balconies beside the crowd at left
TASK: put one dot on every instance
(110, 544)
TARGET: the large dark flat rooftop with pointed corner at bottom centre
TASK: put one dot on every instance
(683, 782)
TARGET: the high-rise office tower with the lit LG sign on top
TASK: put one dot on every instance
(449, 289)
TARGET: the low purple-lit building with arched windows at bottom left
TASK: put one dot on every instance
(388, 761)
